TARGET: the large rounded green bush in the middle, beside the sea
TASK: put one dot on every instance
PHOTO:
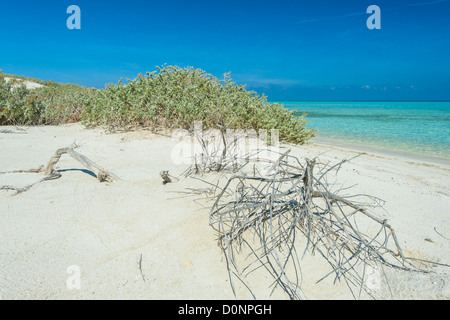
(173, 97)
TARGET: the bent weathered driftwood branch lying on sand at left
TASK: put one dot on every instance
(52, 174)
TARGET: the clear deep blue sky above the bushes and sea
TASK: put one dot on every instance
(287, 49)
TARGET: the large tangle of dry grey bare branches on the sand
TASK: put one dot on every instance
(262, 216)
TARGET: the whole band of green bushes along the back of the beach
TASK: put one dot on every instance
(171, 97)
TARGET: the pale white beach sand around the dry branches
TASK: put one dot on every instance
(104, 228)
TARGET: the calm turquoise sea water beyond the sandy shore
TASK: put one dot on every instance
(421, 128)
